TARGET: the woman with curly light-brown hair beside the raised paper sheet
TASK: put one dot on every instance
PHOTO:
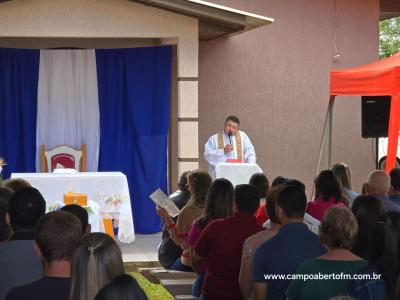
(198, 184)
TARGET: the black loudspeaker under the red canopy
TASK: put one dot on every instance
(375, 116)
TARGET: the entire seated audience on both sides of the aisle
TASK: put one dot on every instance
(252, 241)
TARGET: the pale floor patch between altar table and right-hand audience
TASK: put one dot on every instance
(144, 248)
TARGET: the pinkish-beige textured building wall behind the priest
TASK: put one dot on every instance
(276, 79)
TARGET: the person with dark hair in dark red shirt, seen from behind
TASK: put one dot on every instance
(222, 242)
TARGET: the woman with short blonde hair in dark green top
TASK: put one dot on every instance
(338, 232)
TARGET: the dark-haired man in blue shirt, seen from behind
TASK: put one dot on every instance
(282, 254)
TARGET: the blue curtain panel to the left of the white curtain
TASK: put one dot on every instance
(19, 73)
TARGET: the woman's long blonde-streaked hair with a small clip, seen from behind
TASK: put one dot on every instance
(96, 262)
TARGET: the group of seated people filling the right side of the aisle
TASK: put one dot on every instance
(261, 241)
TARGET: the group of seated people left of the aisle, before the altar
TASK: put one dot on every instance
(54, 255)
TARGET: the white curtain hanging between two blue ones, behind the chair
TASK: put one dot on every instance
(68, 105)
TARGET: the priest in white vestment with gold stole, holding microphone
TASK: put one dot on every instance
(231, 145)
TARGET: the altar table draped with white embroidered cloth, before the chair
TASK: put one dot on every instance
(108, 193)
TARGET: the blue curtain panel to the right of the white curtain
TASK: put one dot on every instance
(134, 99)
